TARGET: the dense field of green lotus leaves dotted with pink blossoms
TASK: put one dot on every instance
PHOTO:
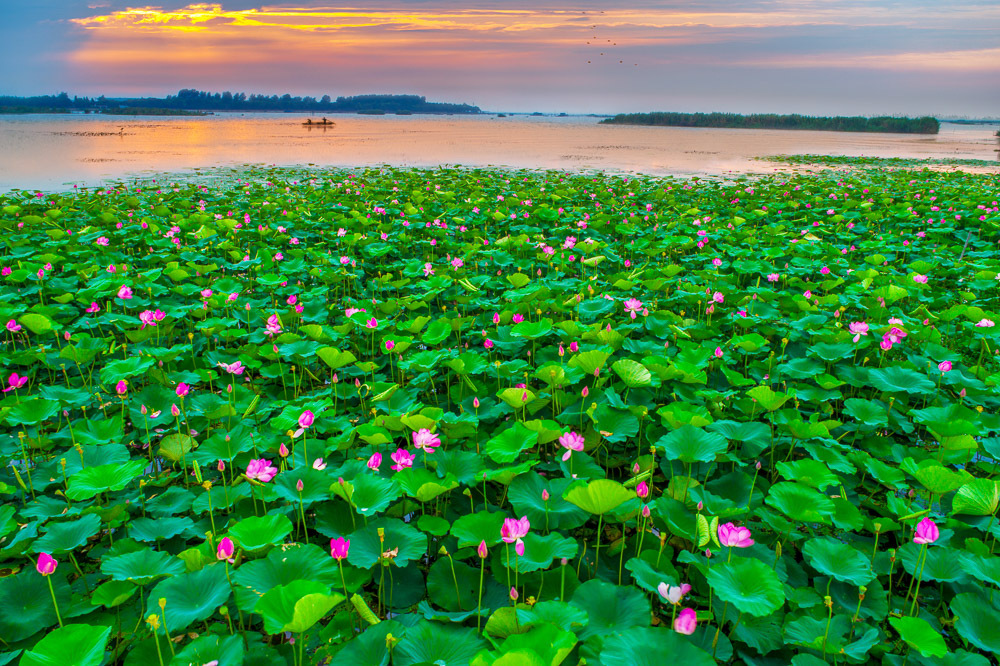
(498, 417)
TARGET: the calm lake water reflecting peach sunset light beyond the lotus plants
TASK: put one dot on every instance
(58, 151)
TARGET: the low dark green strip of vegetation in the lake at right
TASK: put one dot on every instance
(924, 125)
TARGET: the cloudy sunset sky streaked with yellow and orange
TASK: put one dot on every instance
(809, 56)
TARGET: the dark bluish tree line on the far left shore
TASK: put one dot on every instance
(200, 100)
